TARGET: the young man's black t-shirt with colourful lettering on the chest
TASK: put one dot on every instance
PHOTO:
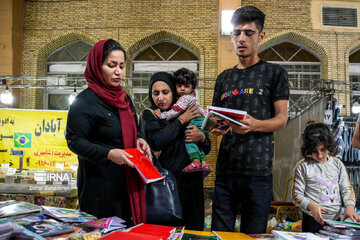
(254, 89)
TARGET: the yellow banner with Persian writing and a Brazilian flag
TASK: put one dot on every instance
(37, 134)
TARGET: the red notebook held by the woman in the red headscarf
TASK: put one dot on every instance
(146, 169)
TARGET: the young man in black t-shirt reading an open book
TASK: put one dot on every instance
(244, 164)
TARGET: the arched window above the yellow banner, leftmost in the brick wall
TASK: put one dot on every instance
(65, 67)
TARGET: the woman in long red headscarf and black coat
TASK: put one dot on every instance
(101, 122)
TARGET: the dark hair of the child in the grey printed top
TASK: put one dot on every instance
(315, 134)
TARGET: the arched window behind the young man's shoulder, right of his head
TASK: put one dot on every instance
(303, 67)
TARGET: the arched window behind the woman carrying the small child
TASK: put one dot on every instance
(165, 56)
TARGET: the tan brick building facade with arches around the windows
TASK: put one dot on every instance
(49, 25)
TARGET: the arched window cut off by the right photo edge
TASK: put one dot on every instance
(354, 72)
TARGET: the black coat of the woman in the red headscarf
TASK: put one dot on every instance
(93, 129)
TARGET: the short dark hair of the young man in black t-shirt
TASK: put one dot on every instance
(249, 14)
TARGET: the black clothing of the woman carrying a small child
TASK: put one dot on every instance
(169, 137)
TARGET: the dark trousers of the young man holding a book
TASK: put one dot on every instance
(253, 193)
